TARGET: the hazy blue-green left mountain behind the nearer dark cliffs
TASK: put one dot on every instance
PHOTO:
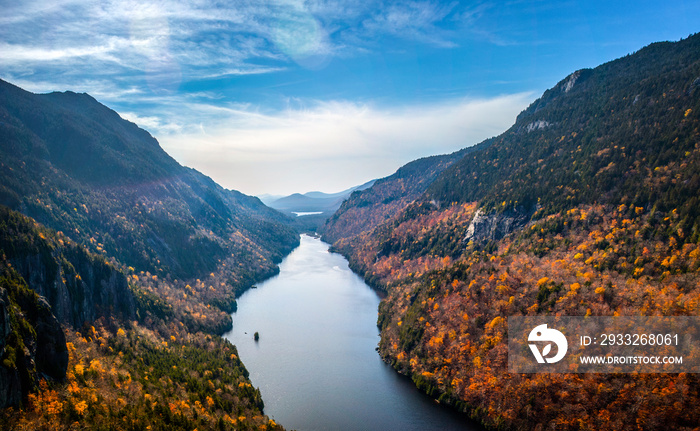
(76, 166)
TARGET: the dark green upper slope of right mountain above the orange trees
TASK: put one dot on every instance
(606, 134)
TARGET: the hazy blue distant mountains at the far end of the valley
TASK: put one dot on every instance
(326, 203)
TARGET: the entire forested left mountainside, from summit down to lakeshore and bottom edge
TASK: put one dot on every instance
(119, 268)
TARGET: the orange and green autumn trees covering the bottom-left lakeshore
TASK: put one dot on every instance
(134, 378)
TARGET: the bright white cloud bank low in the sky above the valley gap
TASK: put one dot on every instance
(333, 145)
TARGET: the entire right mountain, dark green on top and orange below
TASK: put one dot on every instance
(586, 206)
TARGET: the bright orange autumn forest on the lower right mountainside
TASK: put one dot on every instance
(443, 321)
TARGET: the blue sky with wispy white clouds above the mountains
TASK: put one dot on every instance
(285, 96)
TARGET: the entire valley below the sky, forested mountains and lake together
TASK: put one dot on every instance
(121, 269)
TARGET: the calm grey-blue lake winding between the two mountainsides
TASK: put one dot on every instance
(316, 363)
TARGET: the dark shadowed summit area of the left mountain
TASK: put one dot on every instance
(83, 138)
